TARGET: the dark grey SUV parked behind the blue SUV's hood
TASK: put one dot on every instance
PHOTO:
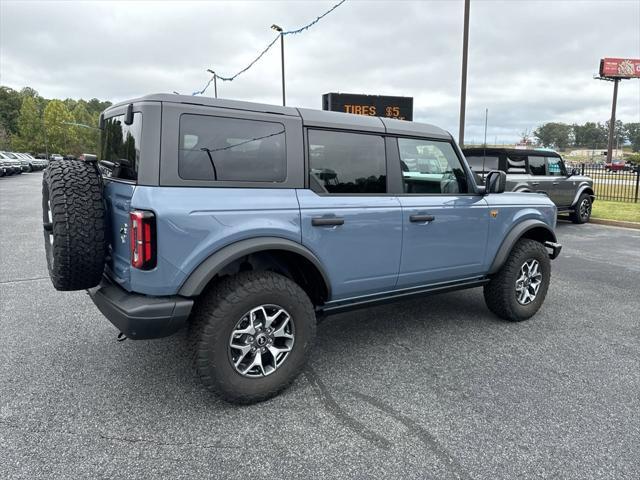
(541, 171)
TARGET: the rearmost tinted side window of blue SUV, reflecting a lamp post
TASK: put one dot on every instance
(231, 149)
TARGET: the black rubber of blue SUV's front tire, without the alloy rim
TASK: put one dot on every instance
(499, 291)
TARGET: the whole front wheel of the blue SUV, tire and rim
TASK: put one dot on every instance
(519, 288)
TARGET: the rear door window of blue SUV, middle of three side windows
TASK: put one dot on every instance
(343, 162)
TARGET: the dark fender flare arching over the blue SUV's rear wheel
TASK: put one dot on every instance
(202, 275)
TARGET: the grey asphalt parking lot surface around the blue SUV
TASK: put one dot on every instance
(430, 388)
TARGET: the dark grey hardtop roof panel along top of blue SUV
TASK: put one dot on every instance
(310, 117)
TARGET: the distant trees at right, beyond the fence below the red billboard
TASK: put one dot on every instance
(590, 135)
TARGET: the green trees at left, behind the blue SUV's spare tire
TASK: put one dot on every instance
(31, 123)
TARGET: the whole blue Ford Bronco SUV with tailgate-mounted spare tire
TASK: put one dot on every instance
(246, 223)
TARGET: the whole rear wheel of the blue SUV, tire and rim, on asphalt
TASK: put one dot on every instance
(251, 335)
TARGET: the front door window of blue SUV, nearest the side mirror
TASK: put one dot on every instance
(431, 166)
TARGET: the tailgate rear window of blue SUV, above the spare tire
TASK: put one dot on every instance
(120, 144)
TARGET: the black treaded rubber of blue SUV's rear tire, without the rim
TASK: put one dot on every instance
(212, 310)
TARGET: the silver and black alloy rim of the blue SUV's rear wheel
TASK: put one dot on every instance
(261, 341)
